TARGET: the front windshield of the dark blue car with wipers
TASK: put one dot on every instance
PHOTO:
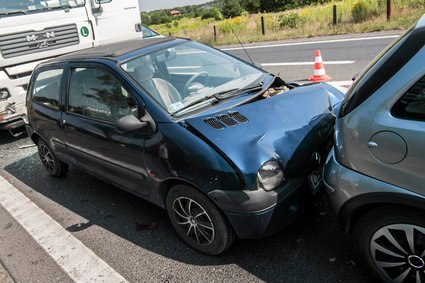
(191, 75)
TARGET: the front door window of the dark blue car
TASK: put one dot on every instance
(97, 94)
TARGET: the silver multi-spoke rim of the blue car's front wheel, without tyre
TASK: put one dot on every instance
(195, 220)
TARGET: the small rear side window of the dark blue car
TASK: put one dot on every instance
(46, 88)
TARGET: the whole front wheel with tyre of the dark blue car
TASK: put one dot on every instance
(198, 221)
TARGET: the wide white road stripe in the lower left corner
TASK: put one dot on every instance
(77, 260)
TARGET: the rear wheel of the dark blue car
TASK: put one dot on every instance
(51, 163)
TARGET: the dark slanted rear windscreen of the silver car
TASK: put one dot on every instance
(389, 62)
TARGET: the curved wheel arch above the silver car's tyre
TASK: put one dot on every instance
(354, 209)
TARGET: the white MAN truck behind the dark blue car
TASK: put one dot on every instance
(35, 30)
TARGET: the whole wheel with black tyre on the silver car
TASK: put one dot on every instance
(389, 241)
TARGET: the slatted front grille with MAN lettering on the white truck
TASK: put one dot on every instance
(23, 43)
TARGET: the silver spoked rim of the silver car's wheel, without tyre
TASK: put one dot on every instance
(398, 250)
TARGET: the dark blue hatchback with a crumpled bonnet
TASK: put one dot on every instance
(227, 148)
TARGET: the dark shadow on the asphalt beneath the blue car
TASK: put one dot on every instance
(312, 250)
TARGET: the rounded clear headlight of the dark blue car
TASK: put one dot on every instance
(270, 175)
